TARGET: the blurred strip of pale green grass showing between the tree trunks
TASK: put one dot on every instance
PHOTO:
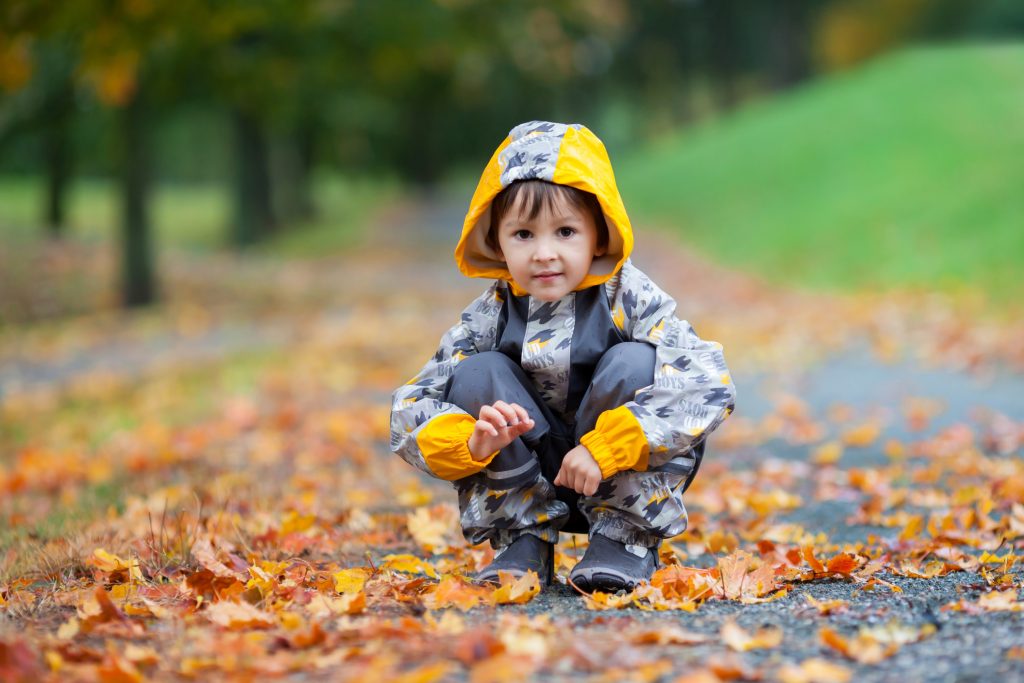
(194, 217)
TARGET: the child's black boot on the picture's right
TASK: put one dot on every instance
(609, 566)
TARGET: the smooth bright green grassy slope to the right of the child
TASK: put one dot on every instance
(906, 174)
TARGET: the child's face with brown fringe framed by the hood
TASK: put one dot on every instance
(549, 255)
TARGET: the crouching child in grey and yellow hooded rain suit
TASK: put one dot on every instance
(570, 398)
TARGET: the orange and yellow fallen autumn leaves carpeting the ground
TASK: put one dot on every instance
(272, 534)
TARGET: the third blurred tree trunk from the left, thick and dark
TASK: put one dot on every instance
(253, 204)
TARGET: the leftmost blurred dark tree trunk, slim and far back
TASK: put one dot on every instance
(58, 155)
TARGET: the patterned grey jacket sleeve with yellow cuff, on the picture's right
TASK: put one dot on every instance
(693, 393)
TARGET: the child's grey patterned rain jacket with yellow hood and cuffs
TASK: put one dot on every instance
(559, 344)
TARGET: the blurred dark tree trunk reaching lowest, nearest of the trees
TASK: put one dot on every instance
(138, 273)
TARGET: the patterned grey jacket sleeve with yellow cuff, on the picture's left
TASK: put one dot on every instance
(428, 433)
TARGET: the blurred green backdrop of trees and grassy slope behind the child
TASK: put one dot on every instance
(775, 136)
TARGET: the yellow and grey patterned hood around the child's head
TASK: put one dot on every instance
(569, 155)
